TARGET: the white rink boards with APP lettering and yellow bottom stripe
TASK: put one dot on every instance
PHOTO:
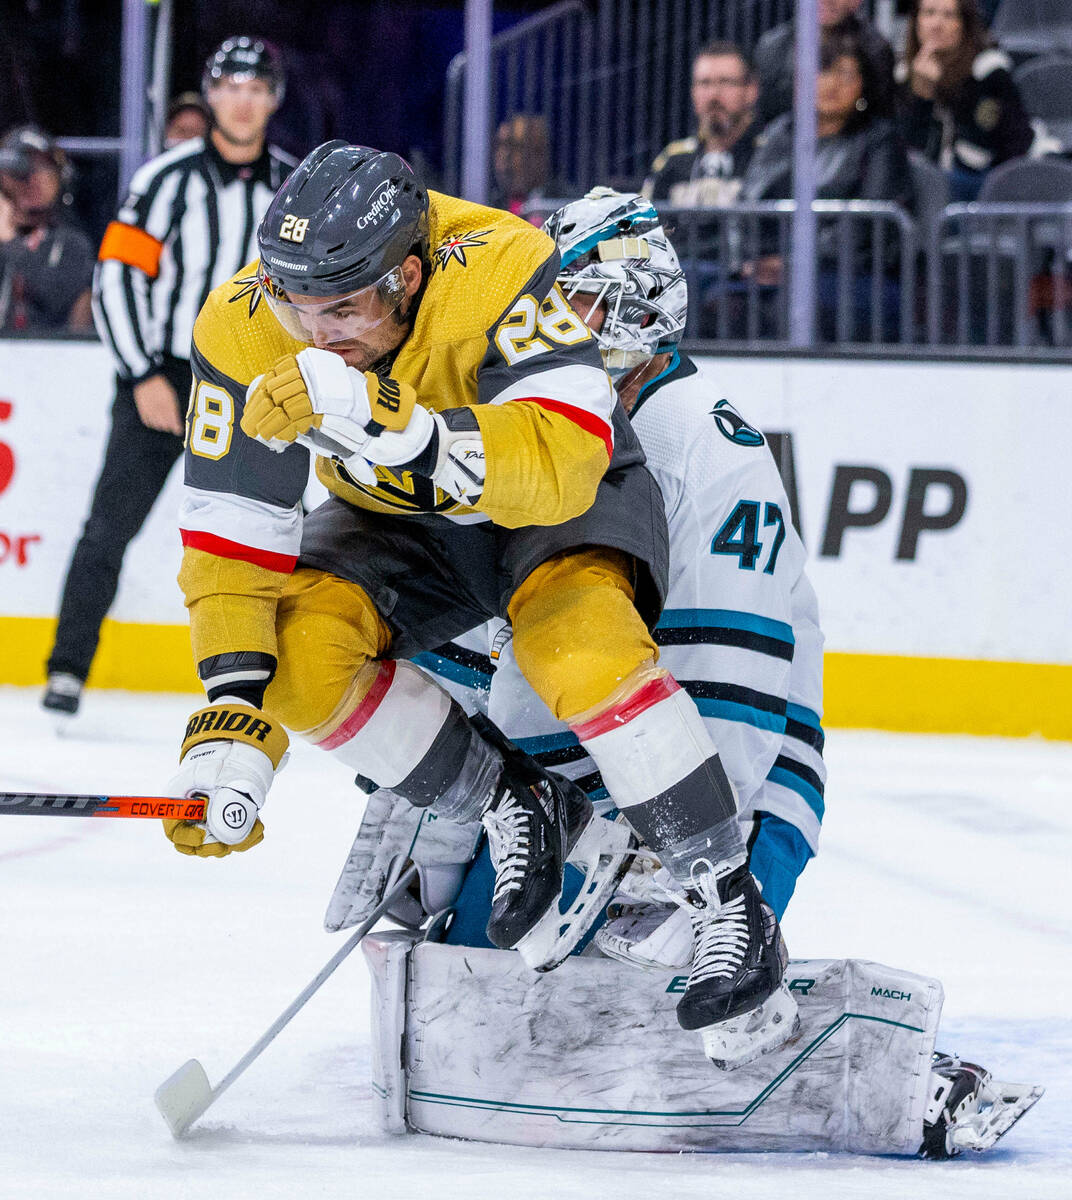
(931, 497)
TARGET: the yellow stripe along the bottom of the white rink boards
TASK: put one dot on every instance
(876, 692)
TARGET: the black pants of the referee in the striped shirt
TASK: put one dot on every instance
(137, 463)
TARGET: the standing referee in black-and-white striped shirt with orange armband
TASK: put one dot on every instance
(189, 224)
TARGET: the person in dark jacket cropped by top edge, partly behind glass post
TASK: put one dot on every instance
(775, 58)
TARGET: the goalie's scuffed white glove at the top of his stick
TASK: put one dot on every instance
(393, 832)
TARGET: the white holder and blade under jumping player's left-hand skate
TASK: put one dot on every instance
(602, 853)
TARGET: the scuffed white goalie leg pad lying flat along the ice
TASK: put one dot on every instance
(474, 1045)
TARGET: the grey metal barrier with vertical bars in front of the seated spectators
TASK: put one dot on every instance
(984, 280)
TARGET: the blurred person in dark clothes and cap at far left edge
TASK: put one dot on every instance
(46, 262)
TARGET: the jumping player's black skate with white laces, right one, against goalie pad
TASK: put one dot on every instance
(735, 997)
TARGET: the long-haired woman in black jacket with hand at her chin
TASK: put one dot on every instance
(957, 100)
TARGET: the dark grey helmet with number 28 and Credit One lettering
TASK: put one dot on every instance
(340, 227)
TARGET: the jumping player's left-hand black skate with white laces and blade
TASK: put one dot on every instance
(537, 823)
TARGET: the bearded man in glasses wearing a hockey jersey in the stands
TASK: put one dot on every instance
(706, 170)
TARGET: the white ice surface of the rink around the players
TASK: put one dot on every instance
(121, 959)
